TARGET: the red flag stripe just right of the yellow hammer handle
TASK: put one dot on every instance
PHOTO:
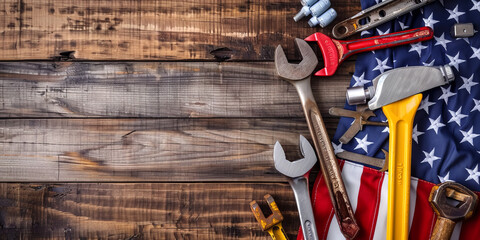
(424, 217)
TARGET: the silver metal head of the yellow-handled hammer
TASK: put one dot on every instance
(400, 83)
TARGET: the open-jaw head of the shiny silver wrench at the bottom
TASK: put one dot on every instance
(295, 168)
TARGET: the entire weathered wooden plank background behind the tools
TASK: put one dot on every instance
(159, 125)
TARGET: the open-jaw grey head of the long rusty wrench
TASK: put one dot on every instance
(300, 71)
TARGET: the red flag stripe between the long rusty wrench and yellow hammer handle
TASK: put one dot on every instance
(368, 202)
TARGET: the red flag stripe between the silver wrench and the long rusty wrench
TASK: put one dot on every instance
(321, 208)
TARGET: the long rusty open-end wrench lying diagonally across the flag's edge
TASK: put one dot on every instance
(299, 76)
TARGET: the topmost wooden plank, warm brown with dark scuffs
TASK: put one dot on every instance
(153, 29)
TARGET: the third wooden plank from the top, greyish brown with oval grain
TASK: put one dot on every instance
(126, 150)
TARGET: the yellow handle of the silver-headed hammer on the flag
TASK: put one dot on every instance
(400, 117)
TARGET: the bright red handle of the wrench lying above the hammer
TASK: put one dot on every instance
(386, 41)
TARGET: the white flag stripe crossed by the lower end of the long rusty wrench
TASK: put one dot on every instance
(351, 174)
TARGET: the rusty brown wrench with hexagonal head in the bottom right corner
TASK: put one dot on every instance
(452, 202)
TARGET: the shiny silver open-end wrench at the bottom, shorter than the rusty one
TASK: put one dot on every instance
(298, 172)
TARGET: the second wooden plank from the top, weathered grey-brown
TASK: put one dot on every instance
(171, 89)
